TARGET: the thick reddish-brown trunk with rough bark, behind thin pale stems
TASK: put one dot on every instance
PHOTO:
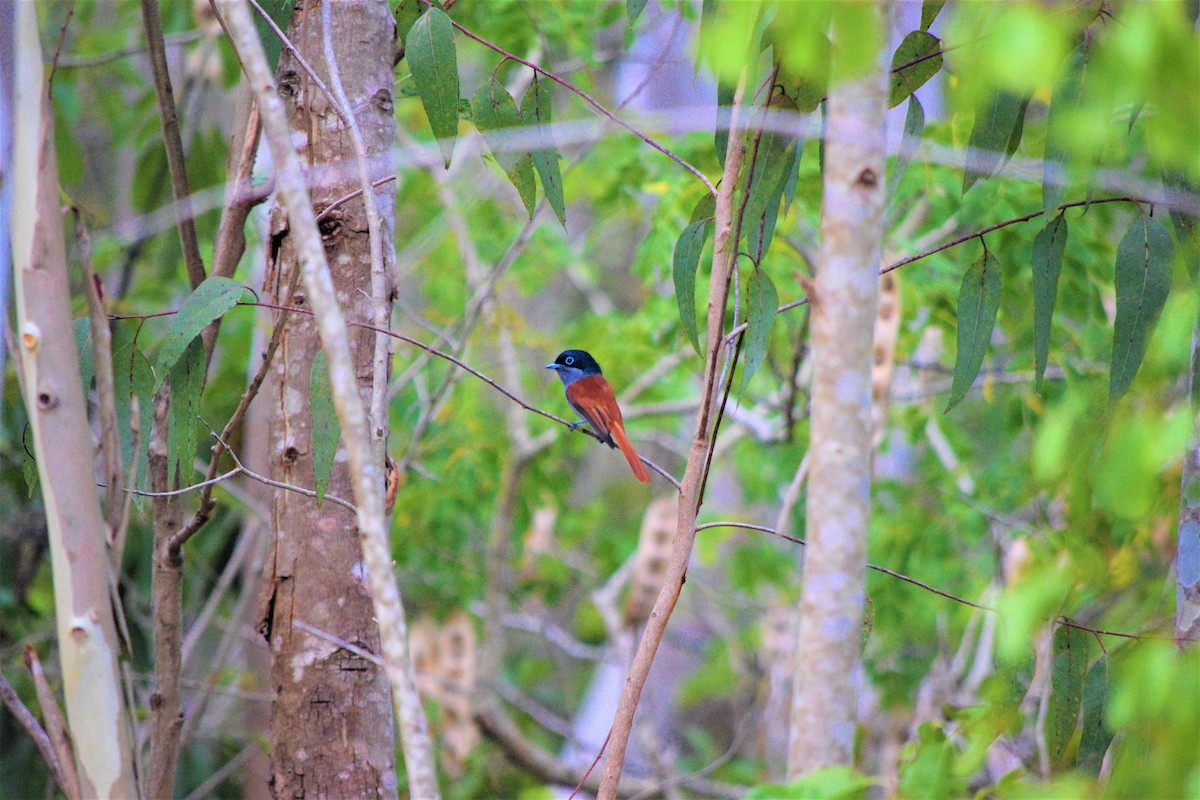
(332, 720)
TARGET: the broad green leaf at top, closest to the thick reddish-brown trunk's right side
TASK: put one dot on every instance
(435, 65)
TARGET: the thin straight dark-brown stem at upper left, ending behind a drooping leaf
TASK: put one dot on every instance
(173, 142)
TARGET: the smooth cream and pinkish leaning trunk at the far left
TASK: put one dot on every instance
(63, 442)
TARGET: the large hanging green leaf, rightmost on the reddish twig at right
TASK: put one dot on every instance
(1143, 281)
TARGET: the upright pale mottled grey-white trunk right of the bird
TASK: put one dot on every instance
(845, 297)
